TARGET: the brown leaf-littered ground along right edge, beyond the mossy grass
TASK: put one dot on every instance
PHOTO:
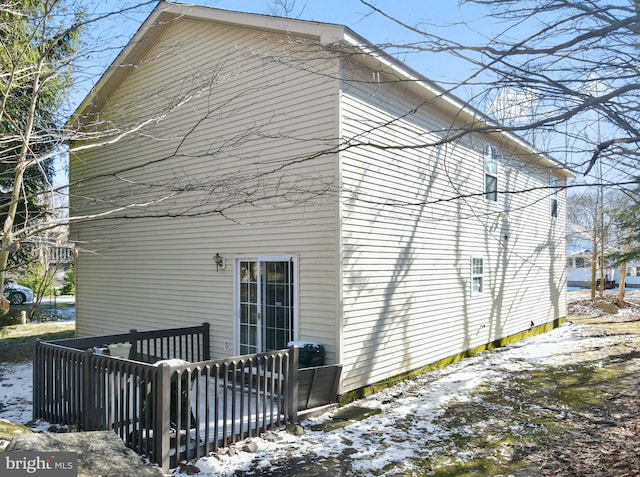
(603, 441)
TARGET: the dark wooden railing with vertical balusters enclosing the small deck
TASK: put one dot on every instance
(169, 401)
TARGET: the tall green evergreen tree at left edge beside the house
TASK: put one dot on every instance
(38, 39)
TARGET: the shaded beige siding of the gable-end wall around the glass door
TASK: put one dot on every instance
(245, 137)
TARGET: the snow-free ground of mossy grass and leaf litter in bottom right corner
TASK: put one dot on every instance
(577, 420)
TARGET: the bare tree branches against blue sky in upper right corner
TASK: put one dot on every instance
(577, 64)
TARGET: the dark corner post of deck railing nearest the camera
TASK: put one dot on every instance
(161, 416)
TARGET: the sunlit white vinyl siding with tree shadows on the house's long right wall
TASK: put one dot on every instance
(412, 217)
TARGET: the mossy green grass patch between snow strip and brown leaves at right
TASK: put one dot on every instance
(534, 411)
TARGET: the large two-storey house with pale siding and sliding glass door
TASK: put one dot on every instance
(275, 181)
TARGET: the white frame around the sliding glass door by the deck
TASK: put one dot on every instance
(236, 292)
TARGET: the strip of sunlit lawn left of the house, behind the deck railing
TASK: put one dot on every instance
(16, 341)
